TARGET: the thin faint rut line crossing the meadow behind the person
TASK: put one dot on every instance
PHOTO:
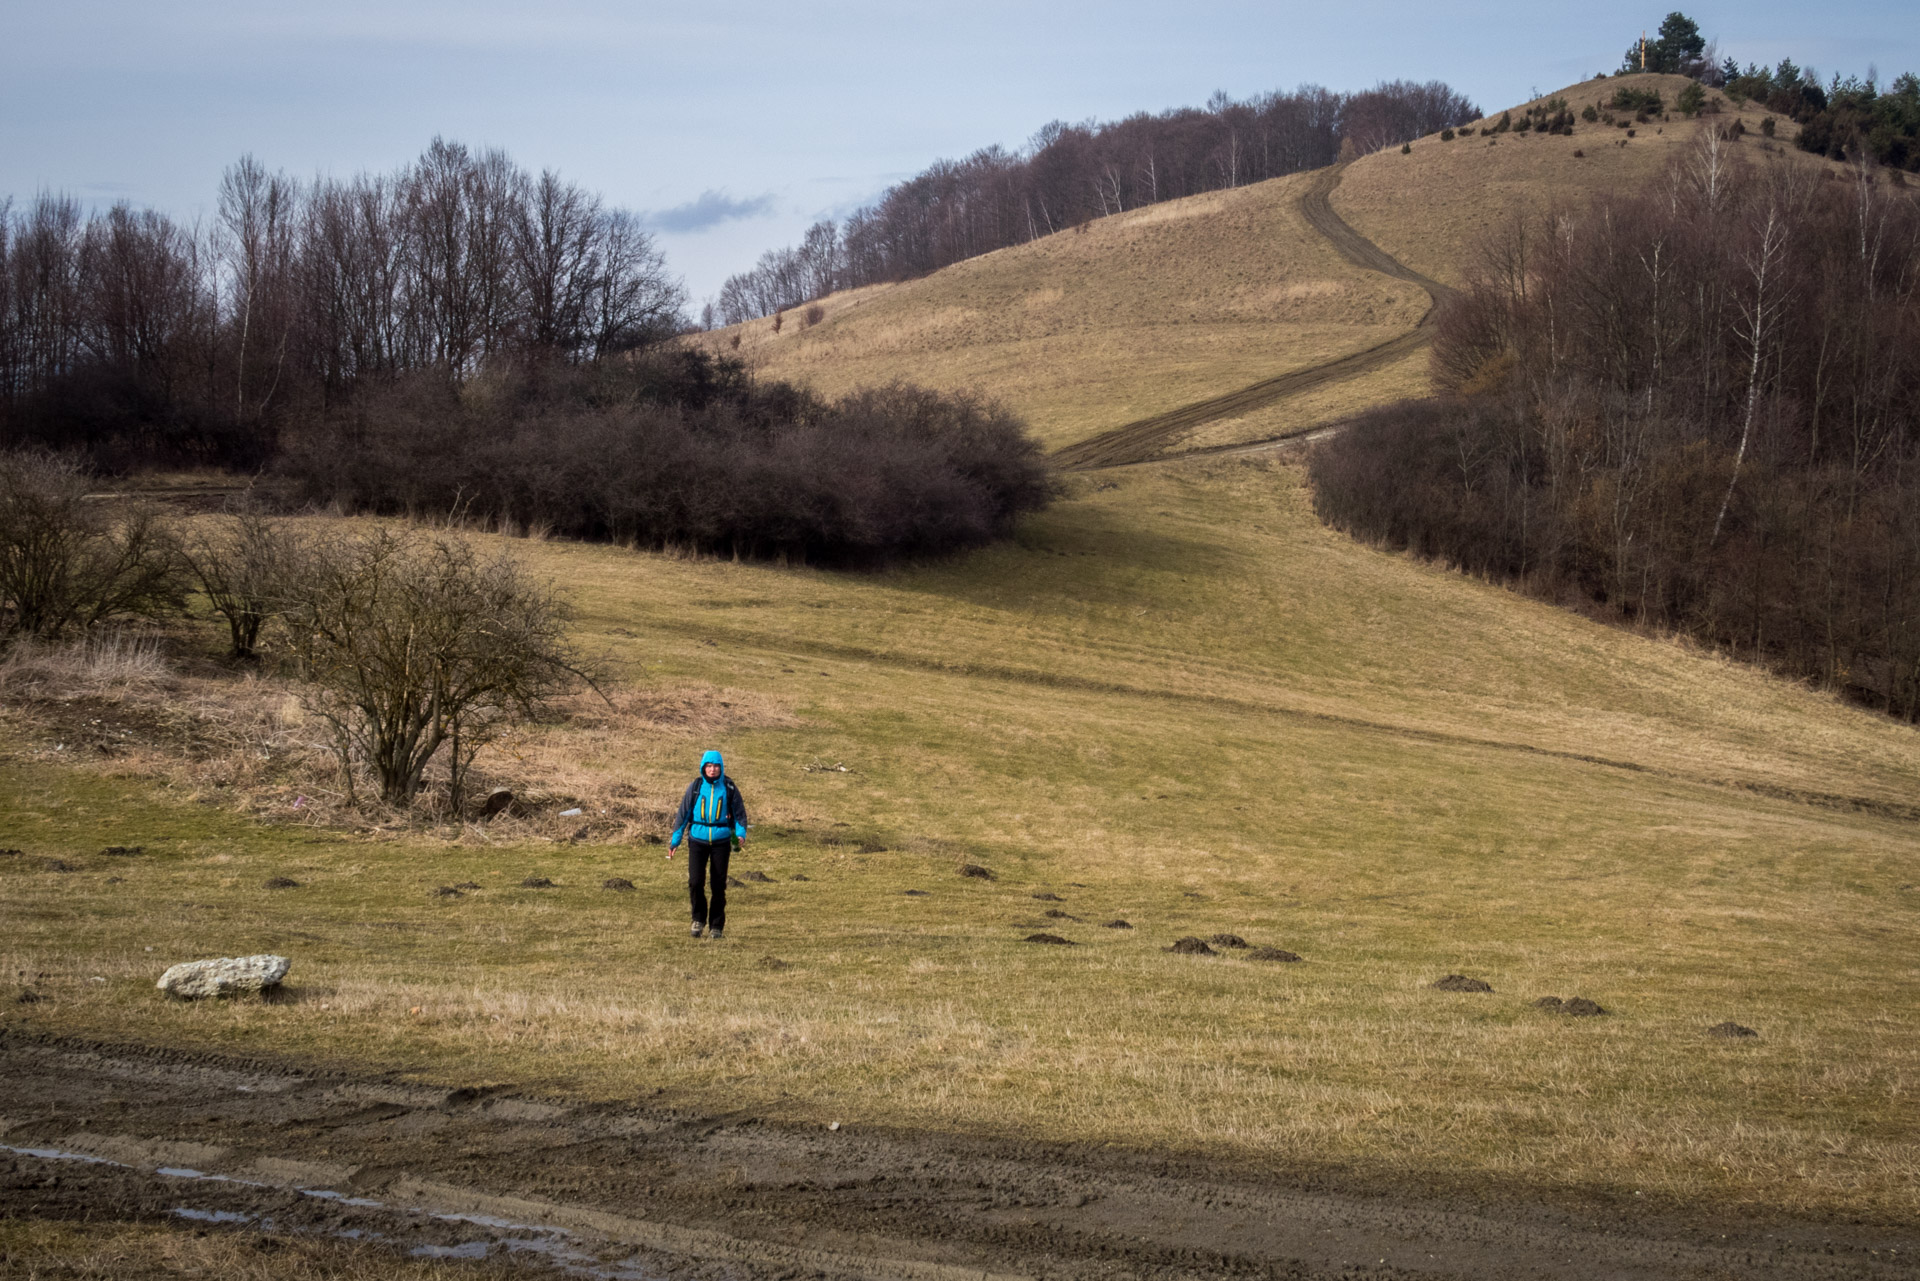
(1090, 685)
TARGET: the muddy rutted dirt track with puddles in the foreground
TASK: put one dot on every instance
(619, 1190)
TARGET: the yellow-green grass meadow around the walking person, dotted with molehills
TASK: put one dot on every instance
(1174, 700)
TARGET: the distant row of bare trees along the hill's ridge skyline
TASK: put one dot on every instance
(1070, 174)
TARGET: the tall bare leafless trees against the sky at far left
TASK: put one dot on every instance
(137, 341)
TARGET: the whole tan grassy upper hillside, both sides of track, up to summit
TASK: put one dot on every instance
(1232, 316)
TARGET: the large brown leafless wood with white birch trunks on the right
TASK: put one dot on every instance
(1698, 408)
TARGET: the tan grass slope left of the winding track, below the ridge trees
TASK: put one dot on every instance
(1126, 318)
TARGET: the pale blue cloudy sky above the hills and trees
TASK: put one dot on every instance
(736, 126)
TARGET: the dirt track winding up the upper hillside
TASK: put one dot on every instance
(1147, 439)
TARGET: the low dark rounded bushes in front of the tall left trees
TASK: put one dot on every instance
(681, 450)
